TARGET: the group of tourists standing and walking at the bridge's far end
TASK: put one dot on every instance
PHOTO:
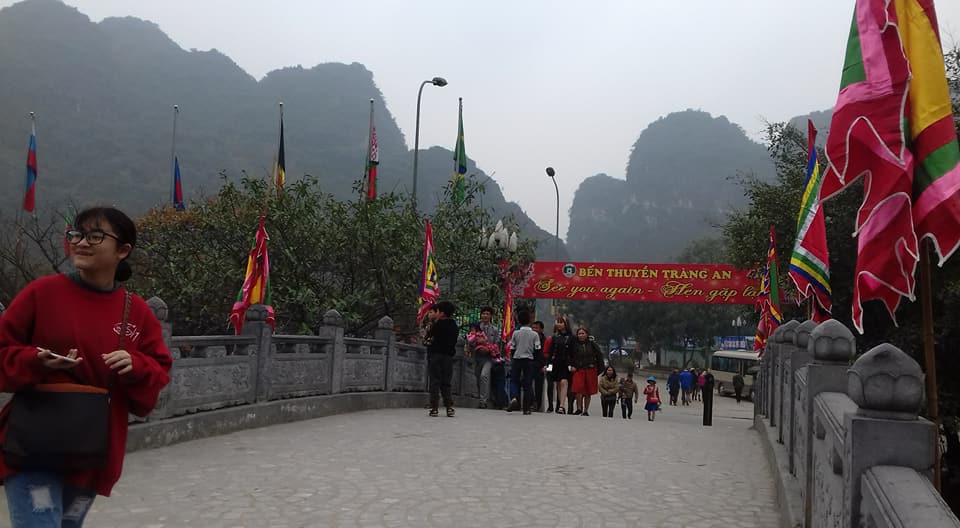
(567, 368)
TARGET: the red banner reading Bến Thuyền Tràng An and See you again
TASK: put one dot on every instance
(675, 283)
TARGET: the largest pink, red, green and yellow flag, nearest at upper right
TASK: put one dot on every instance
(893, 125)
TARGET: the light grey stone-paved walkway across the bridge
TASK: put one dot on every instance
(400, 468)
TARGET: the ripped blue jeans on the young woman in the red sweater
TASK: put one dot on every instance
(41, 499)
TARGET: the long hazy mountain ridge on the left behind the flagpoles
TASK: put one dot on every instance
(104, 95)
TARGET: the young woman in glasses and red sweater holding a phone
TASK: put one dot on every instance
(65, 329)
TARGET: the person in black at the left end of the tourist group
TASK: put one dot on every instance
(441, 341)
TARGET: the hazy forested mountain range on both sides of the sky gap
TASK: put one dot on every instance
(103, 93)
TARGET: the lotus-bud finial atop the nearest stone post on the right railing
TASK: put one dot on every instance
(887, 383)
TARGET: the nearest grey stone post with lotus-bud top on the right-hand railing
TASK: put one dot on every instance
(887, 385)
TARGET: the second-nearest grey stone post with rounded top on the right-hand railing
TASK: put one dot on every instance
(831, 346)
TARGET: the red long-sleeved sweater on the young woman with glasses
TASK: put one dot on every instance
(56, 313)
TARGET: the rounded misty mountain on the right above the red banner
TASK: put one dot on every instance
(680, 183)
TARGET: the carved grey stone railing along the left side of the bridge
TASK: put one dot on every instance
(224, 383)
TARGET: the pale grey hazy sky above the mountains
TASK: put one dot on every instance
(561, 83)
